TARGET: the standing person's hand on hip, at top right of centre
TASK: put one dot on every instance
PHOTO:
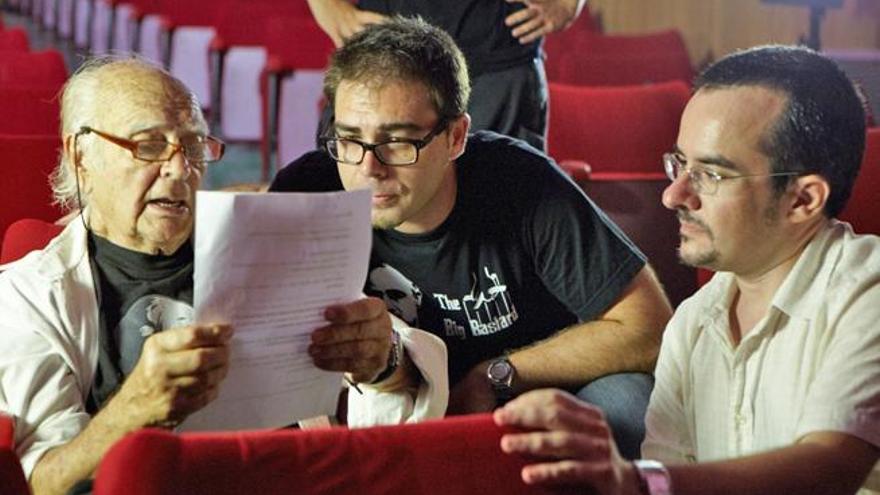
(542, 17)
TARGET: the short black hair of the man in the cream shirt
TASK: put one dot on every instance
(822, 128)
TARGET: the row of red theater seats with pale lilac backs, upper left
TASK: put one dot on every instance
(255, 65)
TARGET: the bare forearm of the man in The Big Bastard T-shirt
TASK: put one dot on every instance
(625, 338)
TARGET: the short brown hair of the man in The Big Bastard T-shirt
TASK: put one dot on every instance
(404, 49)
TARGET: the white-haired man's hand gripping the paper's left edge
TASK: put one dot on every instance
(178, 373)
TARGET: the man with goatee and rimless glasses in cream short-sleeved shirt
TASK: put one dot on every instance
(768, 379)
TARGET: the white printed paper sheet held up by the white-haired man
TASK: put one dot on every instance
(269, 264)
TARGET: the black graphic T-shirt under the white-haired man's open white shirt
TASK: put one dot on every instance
(139, 294)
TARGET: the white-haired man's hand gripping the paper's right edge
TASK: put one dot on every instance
(357, 340)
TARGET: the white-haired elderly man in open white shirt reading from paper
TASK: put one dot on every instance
(97, 331)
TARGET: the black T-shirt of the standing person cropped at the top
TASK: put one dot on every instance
(477, 26)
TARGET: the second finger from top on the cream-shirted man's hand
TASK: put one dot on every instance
(559, 445)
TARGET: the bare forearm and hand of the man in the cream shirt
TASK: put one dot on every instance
(577, 448)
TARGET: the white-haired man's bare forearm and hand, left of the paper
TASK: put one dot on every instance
(178, 373)
